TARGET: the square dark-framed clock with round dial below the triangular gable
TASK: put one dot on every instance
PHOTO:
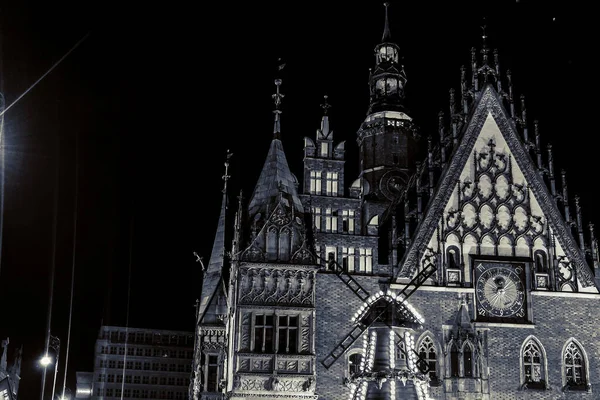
(500, 291)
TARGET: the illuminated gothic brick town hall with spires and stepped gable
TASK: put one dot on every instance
(454, 266)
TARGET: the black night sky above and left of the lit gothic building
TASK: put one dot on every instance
(139, 116)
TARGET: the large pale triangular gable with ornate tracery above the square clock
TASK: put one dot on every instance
(491, 201)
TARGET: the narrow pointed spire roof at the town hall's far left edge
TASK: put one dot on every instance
(214, 272)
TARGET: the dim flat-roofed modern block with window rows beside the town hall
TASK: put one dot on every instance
(139, 364)
